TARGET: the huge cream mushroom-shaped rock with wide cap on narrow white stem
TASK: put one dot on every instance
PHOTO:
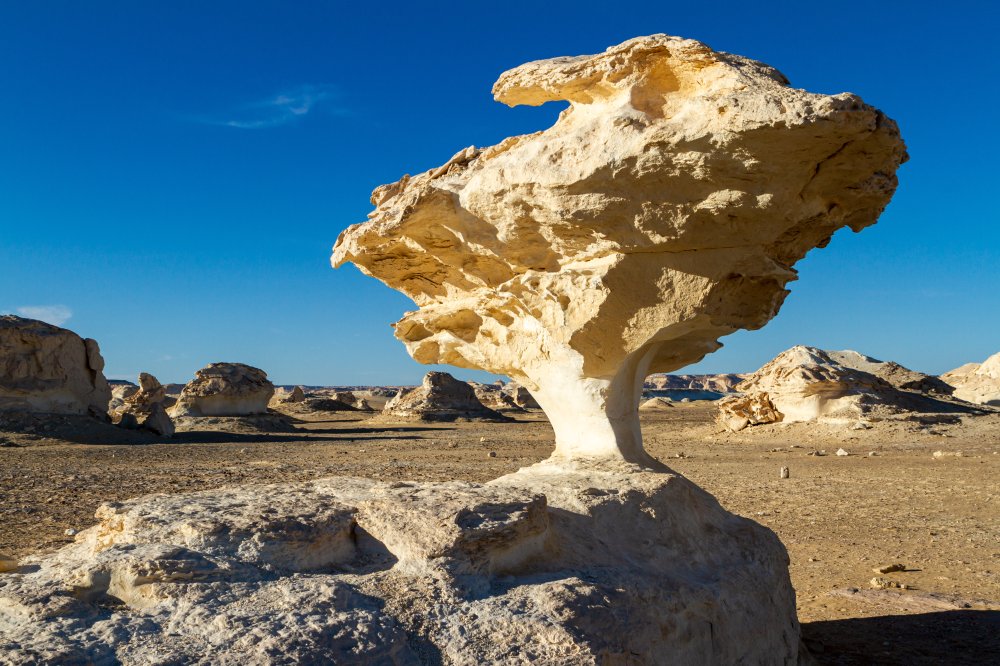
(665, 208)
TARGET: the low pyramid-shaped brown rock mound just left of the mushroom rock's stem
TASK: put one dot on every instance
(440, 397)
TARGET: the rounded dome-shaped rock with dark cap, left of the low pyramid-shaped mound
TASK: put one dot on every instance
(225, 389)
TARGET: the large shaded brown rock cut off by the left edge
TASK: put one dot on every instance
(44, 368)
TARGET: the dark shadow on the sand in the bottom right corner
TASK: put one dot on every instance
(946, 637)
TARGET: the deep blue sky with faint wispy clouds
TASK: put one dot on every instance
(175, 175)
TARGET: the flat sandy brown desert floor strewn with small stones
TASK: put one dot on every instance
(839, 516)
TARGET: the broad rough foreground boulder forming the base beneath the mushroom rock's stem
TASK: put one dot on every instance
(550, 566)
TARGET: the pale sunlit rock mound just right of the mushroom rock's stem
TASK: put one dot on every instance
(809, 384)
